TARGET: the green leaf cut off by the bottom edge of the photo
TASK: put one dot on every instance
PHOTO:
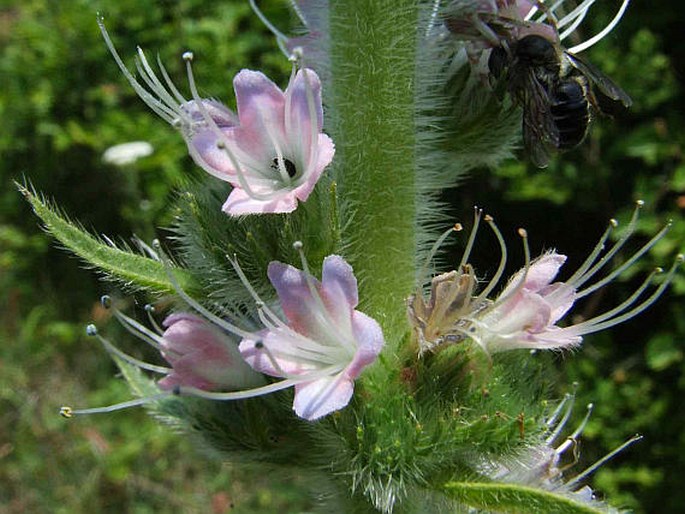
(512, 498)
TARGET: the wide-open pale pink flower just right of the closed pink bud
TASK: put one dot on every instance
(325, 344)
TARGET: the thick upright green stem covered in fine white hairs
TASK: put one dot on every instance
(373, 46)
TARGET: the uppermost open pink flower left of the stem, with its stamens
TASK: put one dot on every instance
(272, 152)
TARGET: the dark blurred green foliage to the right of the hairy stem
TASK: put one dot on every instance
(635, 373)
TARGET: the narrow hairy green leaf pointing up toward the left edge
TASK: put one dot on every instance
(123, 265)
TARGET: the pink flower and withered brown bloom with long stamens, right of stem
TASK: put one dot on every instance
(527, 311)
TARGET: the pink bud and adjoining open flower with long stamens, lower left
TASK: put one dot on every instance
(321, 349)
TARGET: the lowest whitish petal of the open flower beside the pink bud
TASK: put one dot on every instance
(318, 398)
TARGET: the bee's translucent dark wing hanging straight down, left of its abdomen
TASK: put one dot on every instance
(540, 133)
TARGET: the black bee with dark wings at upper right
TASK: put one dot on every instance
(554, 89)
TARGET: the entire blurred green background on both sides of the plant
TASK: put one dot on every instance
(63, 102)
